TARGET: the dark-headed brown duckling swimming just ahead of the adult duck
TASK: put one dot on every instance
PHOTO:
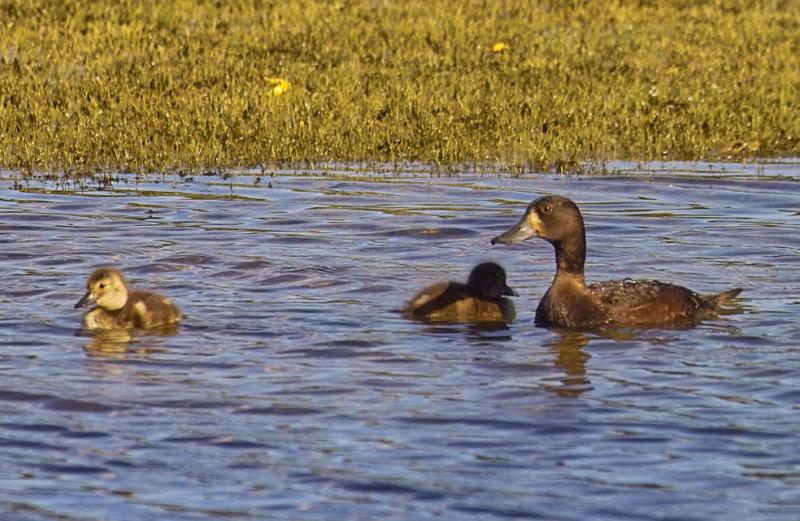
(479, 300)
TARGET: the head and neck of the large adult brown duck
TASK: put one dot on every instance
(557, 220)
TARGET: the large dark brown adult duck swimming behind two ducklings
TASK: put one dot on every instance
(570, 303)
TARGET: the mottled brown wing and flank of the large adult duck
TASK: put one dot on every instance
(648, 301)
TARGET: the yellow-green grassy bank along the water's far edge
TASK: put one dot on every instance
(155, 86)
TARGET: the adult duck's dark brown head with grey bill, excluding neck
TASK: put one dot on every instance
(553, 218)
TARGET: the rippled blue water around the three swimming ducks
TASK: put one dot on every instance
(295, 391)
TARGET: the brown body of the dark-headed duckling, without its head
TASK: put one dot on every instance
(454, 302)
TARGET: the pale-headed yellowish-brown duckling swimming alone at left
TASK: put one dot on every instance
(119, 307)
